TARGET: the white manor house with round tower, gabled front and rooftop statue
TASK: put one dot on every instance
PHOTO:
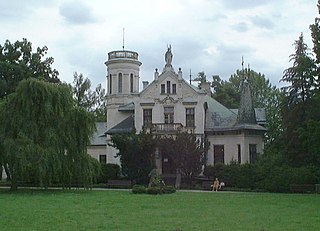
(169, 104)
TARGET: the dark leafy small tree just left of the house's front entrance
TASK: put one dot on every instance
(136, 152)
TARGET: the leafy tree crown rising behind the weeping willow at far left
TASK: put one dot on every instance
(18, 62)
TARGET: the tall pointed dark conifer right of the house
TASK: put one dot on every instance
(297, 103)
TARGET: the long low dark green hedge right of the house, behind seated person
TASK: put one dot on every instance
(262, 177)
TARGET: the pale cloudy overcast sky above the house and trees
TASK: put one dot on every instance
(205, 35)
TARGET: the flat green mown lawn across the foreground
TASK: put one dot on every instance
(122, 210)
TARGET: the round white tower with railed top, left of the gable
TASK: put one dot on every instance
(123, 69)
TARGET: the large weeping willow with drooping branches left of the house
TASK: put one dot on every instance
(44, 136)
